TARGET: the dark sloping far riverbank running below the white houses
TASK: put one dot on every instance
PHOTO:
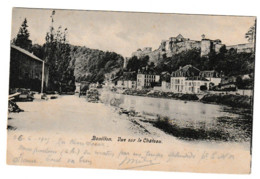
(238, 101)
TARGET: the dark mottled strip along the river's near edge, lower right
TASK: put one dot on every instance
(223, 129)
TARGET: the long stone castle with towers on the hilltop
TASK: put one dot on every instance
(175, 45)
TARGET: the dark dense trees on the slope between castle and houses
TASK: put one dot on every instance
(227, 61)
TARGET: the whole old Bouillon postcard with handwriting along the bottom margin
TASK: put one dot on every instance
(123, 90)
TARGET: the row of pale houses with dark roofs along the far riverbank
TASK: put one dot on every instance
(187, 79)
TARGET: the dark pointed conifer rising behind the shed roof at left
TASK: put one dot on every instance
(22, 39)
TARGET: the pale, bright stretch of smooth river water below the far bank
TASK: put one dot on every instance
(176, 109)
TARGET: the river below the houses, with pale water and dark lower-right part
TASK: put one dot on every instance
(194, 116)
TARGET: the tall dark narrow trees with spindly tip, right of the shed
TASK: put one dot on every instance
(57, 55)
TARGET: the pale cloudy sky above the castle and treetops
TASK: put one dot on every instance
(125, 32)
